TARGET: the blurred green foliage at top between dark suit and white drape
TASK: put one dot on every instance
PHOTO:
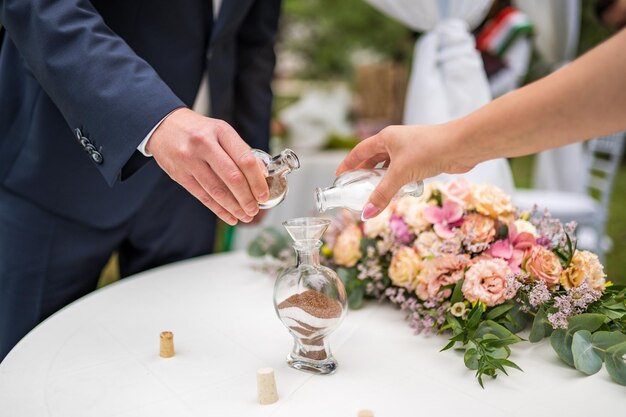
(325, 33)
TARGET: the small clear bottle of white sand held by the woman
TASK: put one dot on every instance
(352, 189)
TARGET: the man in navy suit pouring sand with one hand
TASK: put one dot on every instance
(99, 151)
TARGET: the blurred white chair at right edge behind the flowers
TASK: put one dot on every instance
(589, 210)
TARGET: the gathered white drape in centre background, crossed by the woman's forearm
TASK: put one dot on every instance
(448, 79)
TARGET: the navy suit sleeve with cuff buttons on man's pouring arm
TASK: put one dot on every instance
(95, 79)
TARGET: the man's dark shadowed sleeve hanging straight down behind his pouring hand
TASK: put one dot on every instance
(255, 69)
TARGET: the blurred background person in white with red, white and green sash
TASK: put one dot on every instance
(505, 44)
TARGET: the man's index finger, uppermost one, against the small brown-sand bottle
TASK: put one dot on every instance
(241, 154)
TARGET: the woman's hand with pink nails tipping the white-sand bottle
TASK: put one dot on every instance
(412, 153)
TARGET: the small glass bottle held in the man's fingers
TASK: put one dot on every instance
(276, 170)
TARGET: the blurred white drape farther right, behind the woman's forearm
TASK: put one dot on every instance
(557, 27)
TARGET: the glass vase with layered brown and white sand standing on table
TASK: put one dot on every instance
(310, 299)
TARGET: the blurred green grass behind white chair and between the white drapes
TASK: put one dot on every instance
(615, 264)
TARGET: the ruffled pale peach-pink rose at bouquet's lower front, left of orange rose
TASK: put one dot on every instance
(486, 282)
